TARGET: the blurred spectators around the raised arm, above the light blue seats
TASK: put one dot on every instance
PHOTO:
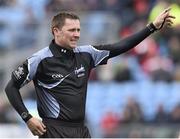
(156, 58)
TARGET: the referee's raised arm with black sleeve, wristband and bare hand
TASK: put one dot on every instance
(164, 19)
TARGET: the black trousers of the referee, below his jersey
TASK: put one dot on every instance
(60, 129)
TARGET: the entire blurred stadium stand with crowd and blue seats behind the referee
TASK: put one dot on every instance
(137, 94)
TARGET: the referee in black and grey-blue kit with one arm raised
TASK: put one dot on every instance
(60, 74)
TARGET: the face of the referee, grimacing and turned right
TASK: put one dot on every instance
(69, 34)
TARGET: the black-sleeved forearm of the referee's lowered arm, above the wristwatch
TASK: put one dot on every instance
(13, 94)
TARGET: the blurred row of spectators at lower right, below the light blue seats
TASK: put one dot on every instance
(112, 124)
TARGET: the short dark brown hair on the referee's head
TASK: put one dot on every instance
(59, 19)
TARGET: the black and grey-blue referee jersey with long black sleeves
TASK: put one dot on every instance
(60, 76)
